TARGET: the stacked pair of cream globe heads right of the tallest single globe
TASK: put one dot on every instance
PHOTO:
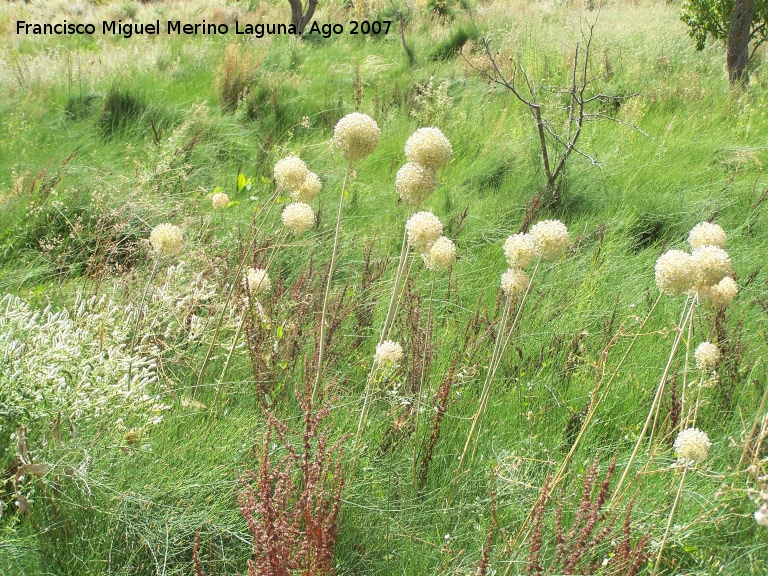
(427, 150)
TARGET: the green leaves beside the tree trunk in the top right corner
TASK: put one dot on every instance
(713, 18)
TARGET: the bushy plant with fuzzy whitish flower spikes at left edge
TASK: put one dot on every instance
(75, 362)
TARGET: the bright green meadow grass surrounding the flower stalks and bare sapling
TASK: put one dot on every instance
(89, 173)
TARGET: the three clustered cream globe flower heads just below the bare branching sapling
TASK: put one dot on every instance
(547, 240)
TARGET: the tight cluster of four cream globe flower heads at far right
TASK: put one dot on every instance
(705, 271)
